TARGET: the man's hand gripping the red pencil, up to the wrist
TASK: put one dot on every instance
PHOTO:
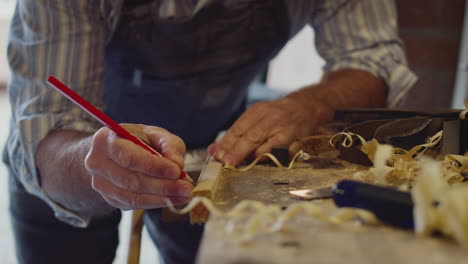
(130, 177)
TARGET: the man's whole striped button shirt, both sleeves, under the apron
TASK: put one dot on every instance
(66, 38)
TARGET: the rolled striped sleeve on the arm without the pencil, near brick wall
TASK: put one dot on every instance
(363, 34)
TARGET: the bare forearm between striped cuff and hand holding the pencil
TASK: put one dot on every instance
(60, 162)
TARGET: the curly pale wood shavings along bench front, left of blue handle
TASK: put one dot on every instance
(249, 219)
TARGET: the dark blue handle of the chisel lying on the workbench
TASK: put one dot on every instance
(388, 204)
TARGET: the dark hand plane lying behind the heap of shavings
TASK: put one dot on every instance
(402, 129)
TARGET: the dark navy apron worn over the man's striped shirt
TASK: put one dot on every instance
(190, 77)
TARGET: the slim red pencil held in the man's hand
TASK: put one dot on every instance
(103, 118)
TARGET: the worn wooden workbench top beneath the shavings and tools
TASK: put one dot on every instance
(310, 240)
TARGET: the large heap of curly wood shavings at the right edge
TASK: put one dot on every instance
(438, 191)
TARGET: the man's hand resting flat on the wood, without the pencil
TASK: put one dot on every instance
(270, 124)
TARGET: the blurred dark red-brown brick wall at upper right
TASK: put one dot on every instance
(431, 31)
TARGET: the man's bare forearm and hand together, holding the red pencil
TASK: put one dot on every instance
(92, 174)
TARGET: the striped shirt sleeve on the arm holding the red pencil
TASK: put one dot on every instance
(64, 38)
